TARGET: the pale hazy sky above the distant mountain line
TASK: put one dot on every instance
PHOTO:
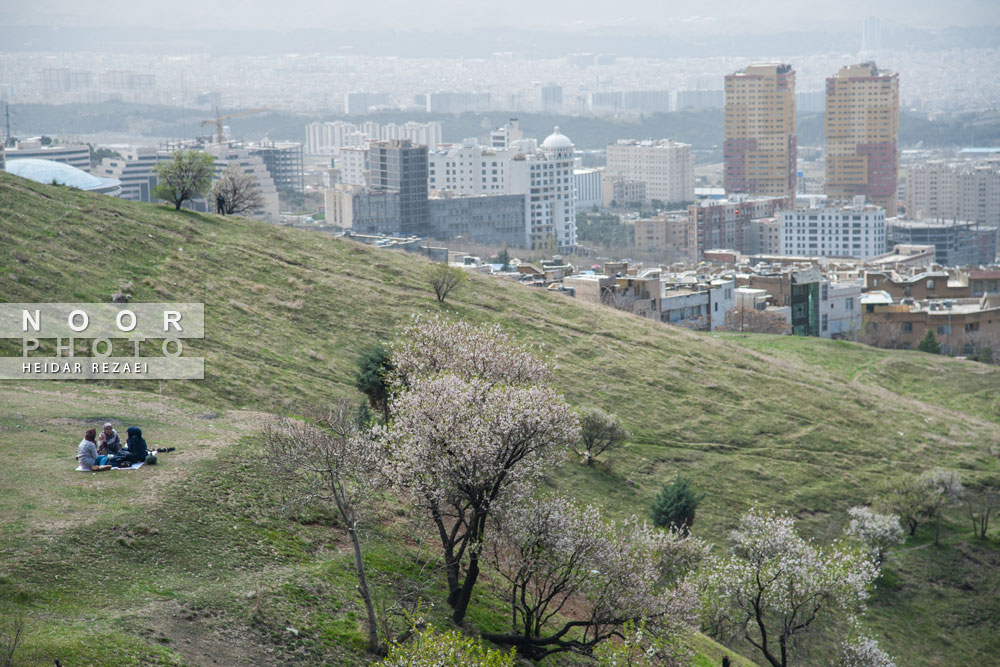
(644, 15)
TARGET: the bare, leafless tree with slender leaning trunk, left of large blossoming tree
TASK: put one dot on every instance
(327, 460)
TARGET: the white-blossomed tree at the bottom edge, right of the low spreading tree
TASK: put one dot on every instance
(775, 586)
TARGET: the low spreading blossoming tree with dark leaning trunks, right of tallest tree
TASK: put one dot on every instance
(550, 552)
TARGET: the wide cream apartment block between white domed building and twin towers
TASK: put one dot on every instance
(666, 167)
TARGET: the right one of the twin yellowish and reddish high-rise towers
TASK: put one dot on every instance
(862, 134)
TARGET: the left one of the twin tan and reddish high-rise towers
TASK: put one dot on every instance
(760, 140)
